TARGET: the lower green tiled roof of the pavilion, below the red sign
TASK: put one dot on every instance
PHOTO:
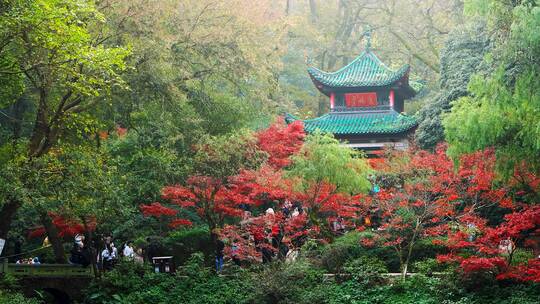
(369, 122)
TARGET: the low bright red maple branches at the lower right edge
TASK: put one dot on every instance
(479, 247)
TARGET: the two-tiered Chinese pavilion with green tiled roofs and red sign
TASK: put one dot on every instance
(366, 104)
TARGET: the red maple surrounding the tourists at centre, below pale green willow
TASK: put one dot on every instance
(293, 216)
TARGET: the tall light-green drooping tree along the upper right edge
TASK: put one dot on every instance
(503, 109)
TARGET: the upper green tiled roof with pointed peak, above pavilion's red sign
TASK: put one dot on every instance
(365, 71)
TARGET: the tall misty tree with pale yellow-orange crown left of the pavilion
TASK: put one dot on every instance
(207, 63)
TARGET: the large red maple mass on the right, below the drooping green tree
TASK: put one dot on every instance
(434, 199)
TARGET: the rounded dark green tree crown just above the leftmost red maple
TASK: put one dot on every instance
(149, 156)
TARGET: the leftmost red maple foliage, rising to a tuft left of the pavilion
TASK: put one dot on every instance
(214, 200)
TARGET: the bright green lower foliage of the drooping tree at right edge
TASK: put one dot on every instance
(498, 117)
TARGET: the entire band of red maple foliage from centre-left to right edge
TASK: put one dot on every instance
(422, 195)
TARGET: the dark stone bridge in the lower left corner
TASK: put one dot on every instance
(63, 282)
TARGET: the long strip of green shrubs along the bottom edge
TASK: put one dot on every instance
(301, 282)
